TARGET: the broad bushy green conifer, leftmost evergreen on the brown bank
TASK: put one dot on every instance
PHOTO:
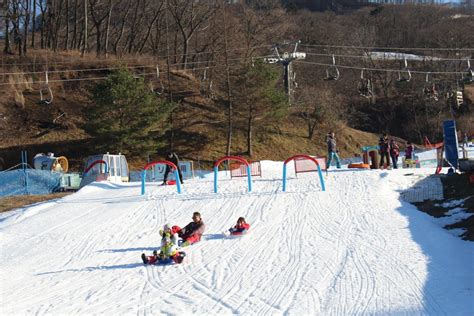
(126, 116)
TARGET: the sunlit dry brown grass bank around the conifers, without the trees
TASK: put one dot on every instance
(199, 122)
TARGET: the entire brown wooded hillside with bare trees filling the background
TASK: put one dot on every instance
(211, 51)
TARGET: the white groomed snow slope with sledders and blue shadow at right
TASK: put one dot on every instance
(356, 249)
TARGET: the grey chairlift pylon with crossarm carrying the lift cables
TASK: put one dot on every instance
(286, 59)
